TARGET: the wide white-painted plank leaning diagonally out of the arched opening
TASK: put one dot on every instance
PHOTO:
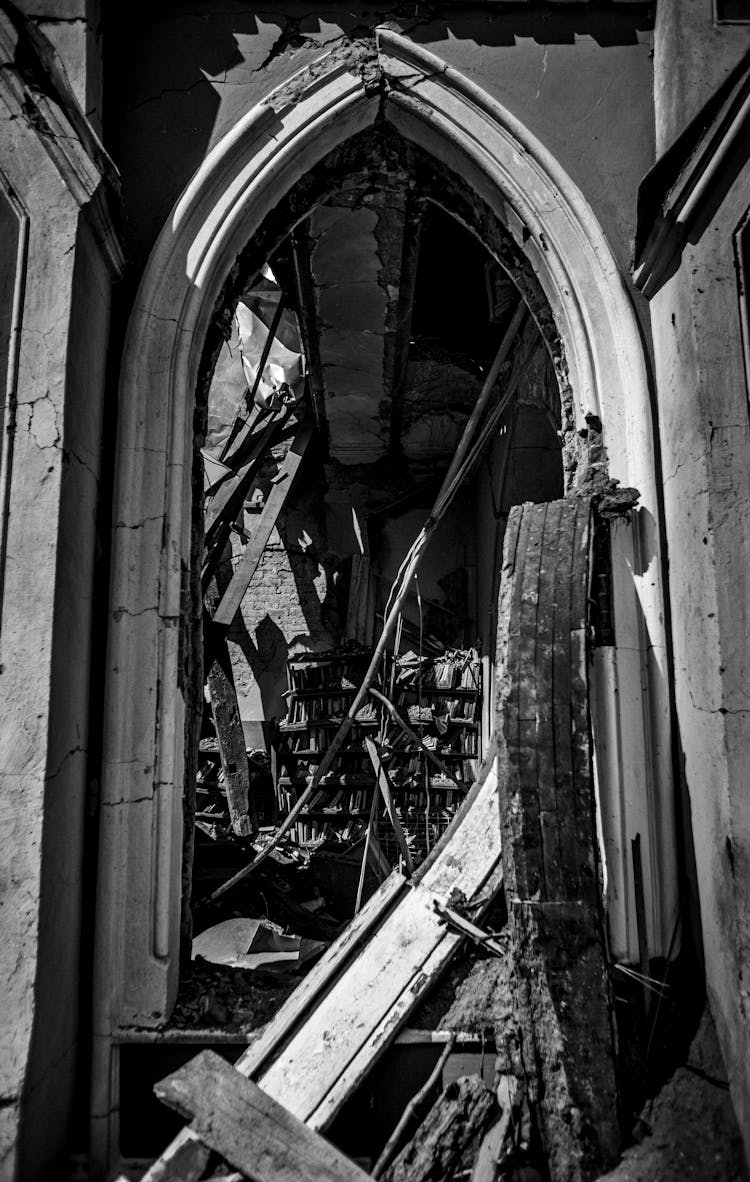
(336, 1042)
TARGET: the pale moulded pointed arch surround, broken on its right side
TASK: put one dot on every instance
(239, 184)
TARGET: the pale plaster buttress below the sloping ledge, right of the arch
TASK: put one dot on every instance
(706, 440)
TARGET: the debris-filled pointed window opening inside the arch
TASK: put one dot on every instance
(350, 368)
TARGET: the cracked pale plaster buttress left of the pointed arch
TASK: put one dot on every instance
(44, 658)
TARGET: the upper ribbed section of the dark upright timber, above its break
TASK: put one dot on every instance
(543, 700)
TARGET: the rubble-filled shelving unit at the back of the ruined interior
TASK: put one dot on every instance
(440, 702)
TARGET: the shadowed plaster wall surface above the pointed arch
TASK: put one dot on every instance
(568, 76)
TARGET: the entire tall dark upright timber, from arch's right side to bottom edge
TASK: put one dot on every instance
(557, 933)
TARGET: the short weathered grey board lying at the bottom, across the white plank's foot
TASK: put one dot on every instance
(239, 1121)
